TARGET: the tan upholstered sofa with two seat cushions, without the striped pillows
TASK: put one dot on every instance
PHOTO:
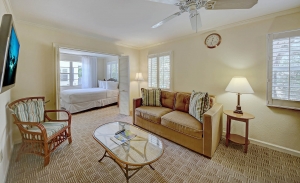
(172, 121)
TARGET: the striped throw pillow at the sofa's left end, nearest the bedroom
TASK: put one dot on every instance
(151, 97)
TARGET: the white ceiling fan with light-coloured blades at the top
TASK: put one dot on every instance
(192, 6)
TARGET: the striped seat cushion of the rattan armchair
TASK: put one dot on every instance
(51, 127)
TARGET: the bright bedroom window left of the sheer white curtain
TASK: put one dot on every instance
(70, 73)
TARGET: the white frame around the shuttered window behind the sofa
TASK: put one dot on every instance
(157, 55)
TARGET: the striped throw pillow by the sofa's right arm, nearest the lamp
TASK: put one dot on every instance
(199, 104)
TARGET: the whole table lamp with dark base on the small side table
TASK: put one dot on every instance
(239, 85)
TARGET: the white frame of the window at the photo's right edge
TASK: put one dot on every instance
(279, 103)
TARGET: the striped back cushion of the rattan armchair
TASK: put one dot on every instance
(31, 111)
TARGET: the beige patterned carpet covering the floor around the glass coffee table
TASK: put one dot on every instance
(78, 162)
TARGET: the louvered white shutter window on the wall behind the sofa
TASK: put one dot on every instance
(159, 71)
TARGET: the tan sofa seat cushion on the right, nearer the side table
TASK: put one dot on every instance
(183, 123)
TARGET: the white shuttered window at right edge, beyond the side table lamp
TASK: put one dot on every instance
(284, 70)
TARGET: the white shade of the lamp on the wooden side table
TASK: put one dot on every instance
(239, 84)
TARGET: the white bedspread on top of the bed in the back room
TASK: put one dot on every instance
(74, 96)
